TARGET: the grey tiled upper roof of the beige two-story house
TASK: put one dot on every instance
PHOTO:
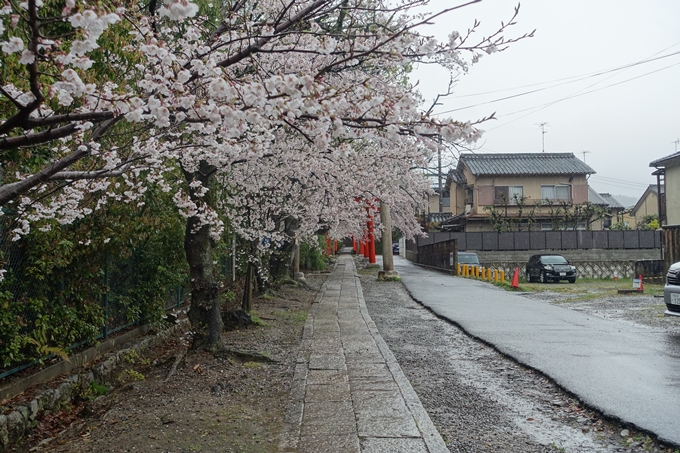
(525, 164)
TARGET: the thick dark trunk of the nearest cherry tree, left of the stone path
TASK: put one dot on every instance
(204, 313)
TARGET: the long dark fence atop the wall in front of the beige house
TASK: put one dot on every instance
(548, 240)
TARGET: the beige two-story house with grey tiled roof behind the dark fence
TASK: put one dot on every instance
(537, 191)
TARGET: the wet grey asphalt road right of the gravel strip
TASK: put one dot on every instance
(626, 372)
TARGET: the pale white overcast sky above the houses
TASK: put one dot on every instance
(622, 128)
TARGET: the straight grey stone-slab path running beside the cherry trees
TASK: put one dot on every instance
(349, 393)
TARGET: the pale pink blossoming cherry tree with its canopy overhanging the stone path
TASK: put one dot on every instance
(279, 110)
